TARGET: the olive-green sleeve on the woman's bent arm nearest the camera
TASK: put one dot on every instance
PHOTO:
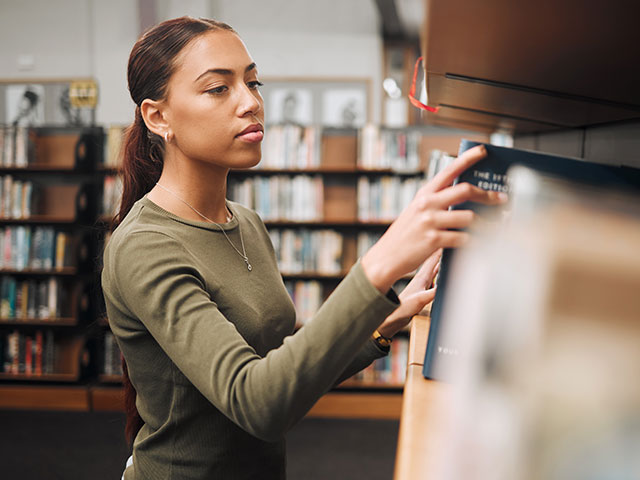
(154, 279)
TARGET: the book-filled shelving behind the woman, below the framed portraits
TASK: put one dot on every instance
(325, 195)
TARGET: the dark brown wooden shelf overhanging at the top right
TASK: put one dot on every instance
(530, 67)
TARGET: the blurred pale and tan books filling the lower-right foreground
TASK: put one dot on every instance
(547, 310)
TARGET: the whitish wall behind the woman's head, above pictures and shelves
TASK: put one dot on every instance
(93, 38)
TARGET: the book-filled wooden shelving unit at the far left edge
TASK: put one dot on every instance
(47, 207)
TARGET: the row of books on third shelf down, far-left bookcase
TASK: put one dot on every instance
(24, 247)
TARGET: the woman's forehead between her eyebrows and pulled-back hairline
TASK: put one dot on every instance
(217, 49)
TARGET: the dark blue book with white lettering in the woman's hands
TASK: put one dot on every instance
(490, 173)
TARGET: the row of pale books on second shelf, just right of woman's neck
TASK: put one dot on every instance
(281, 197)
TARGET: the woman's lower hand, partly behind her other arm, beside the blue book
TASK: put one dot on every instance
(413, 298)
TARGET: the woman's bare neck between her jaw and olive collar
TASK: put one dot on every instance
(203, 187)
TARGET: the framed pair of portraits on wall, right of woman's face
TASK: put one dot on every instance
(317, 102)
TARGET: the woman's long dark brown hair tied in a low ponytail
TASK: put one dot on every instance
(151, 63)
